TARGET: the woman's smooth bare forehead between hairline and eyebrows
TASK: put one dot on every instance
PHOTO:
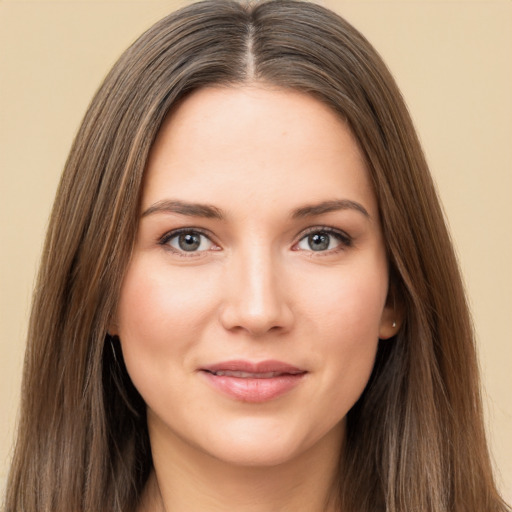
(256, 145)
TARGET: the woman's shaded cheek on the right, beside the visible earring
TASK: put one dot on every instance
(345, 310)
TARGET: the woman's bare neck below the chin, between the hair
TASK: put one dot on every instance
(182, 481)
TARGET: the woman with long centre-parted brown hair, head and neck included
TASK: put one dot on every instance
(248, 298)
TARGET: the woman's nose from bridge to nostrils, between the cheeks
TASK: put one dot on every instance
(255, 295)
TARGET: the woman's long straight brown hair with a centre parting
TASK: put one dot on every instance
(415, 439)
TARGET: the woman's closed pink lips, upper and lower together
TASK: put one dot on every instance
(253, 382)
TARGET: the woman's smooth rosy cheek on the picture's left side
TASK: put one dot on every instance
(161, 316)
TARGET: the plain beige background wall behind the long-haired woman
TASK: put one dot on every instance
(453, 61)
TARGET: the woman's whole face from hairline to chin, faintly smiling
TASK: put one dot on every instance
(251, 309)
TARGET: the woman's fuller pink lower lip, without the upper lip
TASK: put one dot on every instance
(254, 390)
